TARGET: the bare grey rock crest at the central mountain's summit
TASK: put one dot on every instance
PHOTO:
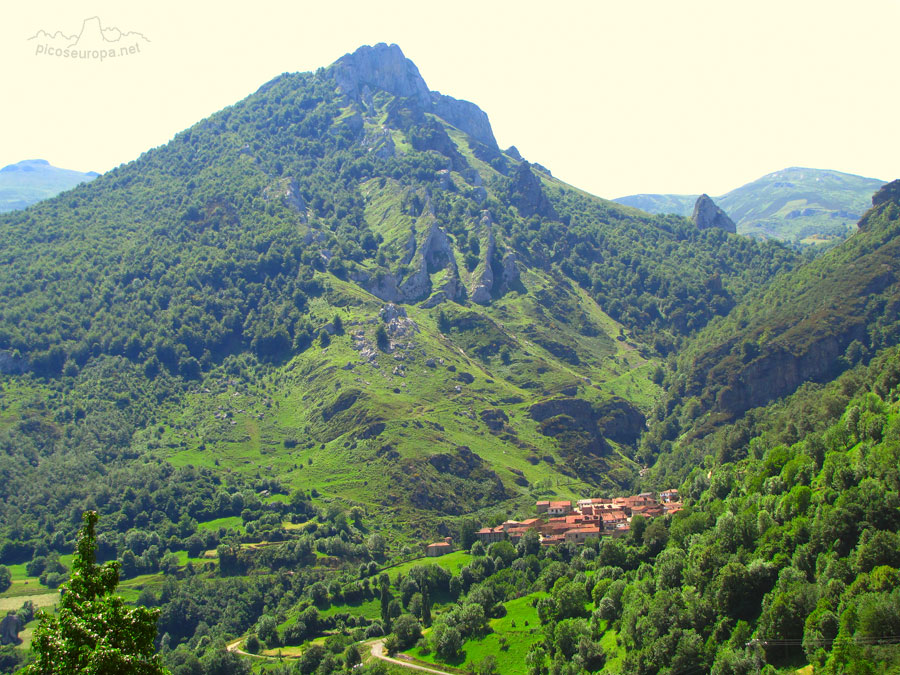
(385, 67)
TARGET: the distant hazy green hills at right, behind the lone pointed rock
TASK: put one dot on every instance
(799, 205)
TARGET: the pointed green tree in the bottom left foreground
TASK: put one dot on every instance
(94, 632)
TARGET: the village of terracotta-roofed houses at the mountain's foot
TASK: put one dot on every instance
(560, 522)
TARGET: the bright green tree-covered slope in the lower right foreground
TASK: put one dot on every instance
(786, 558)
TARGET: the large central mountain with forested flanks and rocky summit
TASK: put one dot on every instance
(354, 256)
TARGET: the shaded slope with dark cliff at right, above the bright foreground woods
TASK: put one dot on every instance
(808, 324)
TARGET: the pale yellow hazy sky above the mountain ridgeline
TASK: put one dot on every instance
(615, 97)
